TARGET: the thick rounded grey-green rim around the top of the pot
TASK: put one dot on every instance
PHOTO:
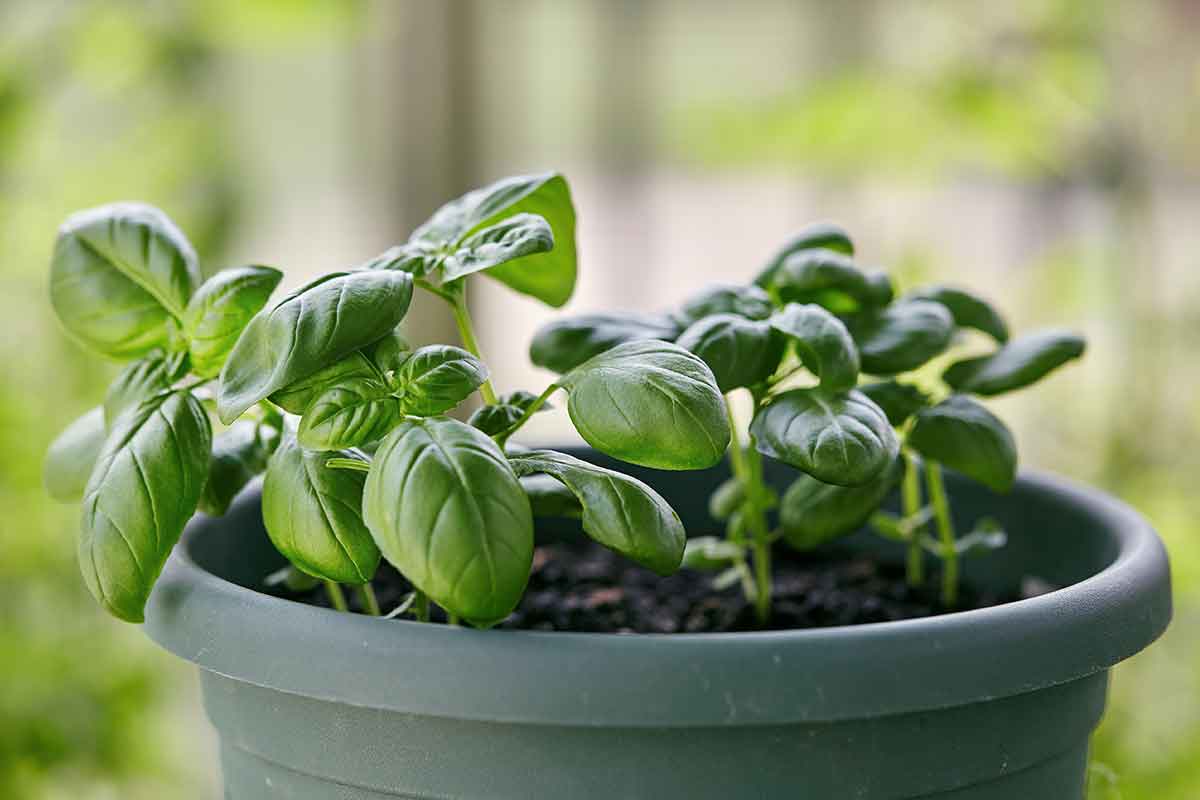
(681, 679)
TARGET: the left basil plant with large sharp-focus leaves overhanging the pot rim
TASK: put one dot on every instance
(321, 394)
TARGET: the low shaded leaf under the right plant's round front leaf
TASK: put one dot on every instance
(813, 513)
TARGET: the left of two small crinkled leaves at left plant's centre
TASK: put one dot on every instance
(351, 414)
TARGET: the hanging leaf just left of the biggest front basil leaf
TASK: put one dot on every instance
(314, 514)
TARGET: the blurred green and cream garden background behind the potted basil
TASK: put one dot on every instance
(1047, 152)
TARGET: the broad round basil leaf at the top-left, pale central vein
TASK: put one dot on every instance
(118, 275)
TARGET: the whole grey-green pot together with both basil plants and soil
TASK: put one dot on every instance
(374, 500)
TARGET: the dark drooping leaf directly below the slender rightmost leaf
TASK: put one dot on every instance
(967, 437)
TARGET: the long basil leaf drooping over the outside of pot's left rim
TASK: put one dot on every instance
(142, 492)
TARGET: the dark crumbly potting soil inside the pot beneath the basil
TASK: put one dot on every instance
(591, 590)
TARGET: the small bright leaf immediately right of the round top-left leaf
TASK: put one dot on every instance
(220, 310)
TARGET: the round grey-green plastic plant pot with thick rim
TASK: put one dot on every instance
(992, 705)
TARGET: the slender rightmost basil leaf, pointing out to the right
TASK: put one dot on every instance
(1017, 365)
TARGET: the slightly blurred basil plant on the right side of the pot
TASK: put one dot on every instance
(856, 388)
